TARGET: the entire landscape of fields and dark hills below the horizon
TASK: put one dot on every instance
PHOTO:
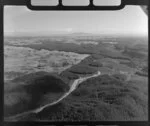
(39, 73)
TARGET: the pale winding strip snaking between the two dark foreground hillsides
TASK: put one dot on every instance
(73, 86)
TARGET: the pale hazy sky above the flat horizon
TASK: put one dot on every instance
(129, 21)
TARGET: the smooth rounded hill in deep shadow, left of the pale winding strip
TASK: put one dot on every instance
(29, 91)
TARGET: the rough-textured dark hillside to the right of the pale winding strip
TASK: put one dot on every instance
(104, 98)
